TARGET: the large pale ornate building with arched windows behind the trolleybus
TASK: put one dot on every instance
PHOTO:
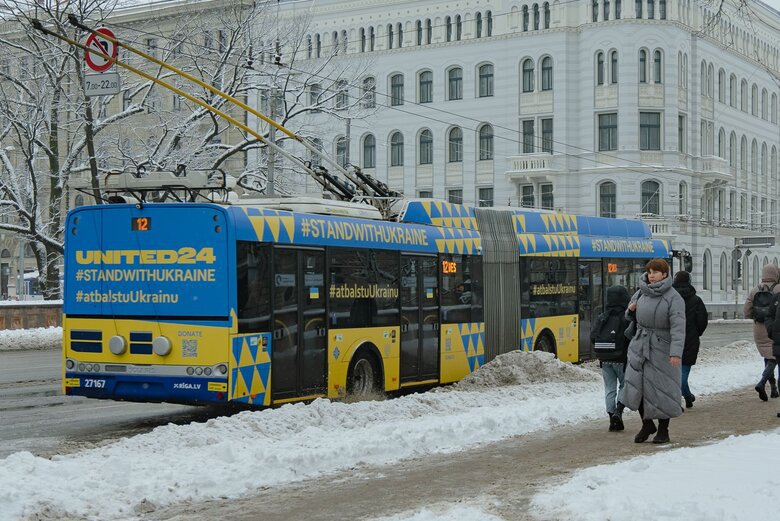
(623, 108)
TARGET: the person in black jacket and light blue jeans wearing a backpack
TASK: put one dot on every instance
(610, 346)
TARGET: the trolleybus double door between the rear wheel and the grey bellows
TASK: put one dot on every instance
(419, 318)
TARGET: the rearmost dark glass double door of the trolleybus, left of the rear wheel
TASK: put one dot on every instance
(298, 354)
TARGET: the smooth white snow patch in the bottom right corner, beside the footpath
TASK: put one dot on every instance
(727, 481)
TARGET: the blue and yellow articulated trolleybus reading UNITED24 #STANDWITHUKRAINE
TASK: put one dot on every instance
(265, 302)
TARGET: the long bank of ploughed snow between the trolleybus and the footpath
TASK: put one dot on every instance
(220, 458)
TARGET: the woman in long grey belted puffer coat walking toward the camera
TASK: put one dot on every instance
(654, 354)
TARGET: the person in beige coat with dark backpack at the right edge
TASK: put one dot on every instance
(758, 307)
